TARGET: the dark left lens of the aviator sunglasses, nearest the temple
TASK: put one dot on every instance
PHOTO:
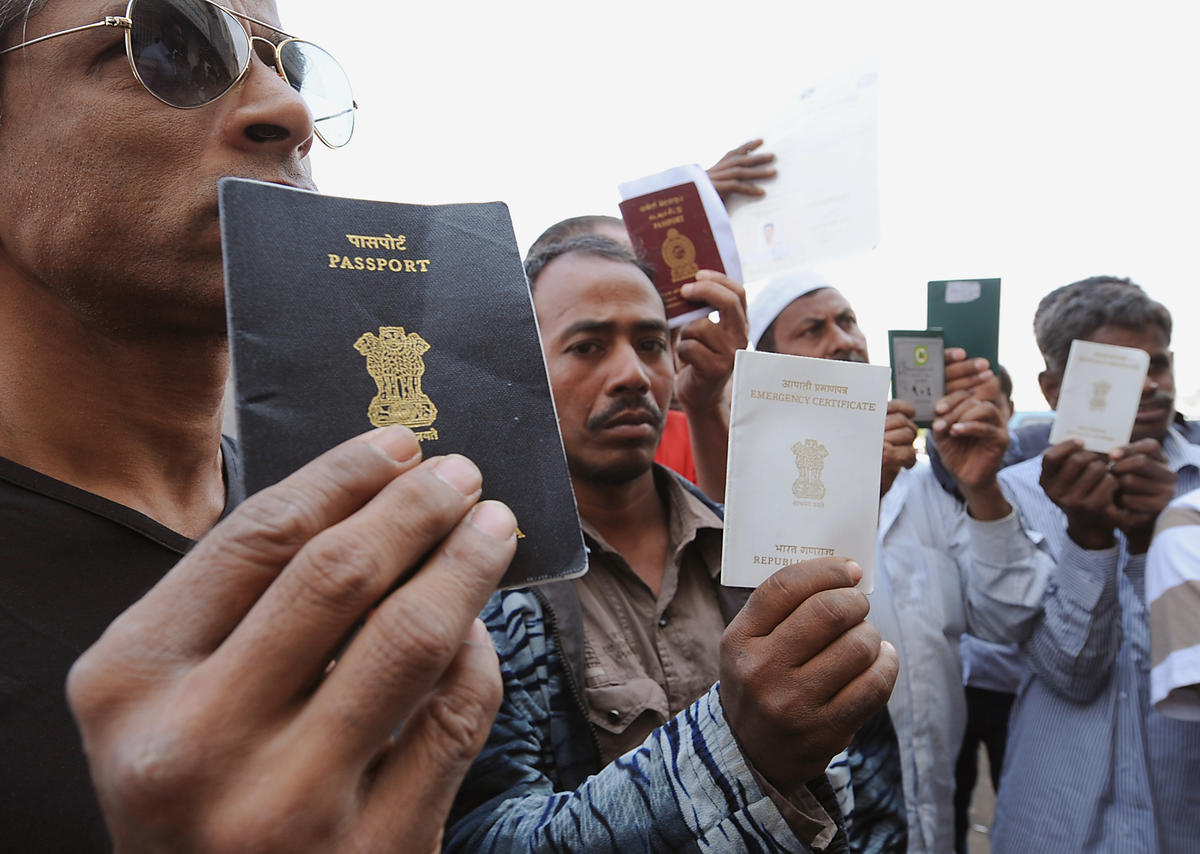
(187, 53)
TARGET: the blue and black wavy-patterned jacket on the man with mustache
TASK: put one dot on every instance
(538, 785)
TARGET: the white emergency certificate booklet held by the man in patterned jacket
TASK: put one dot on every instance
(806, 449)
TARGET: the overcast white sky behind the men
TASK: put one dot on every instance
(1039, 142)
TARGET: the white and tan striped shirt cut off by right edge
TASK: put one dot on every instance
(1173, 596)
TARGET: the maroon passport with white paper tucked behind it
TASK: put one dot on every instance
(673, 227)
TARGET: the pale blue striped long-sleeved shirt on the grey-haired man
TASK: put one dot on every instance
(1090, 766)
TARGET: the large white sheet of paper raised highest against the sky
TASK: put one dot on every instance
(825, 201)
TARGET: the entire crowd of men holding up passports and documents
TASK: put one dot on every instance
(170, 682)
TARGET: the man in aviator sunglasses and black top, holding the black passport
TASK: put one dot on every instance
(211, 711)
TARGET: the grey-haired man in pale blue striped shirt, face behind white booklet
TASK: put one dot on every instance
(1090, 765)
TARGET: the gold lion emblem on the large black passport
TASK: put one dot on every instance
(397, 365)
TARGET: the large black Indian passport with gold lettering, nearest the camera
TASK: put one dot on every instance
(349, 315)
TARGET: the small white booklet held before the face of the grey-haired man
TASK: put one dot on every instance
(1101, 390)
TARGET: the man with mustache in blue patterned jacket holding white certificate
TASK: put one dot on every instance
(614, 733)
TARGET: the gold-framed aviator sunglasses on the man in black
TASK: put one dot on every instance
(189, 53)
